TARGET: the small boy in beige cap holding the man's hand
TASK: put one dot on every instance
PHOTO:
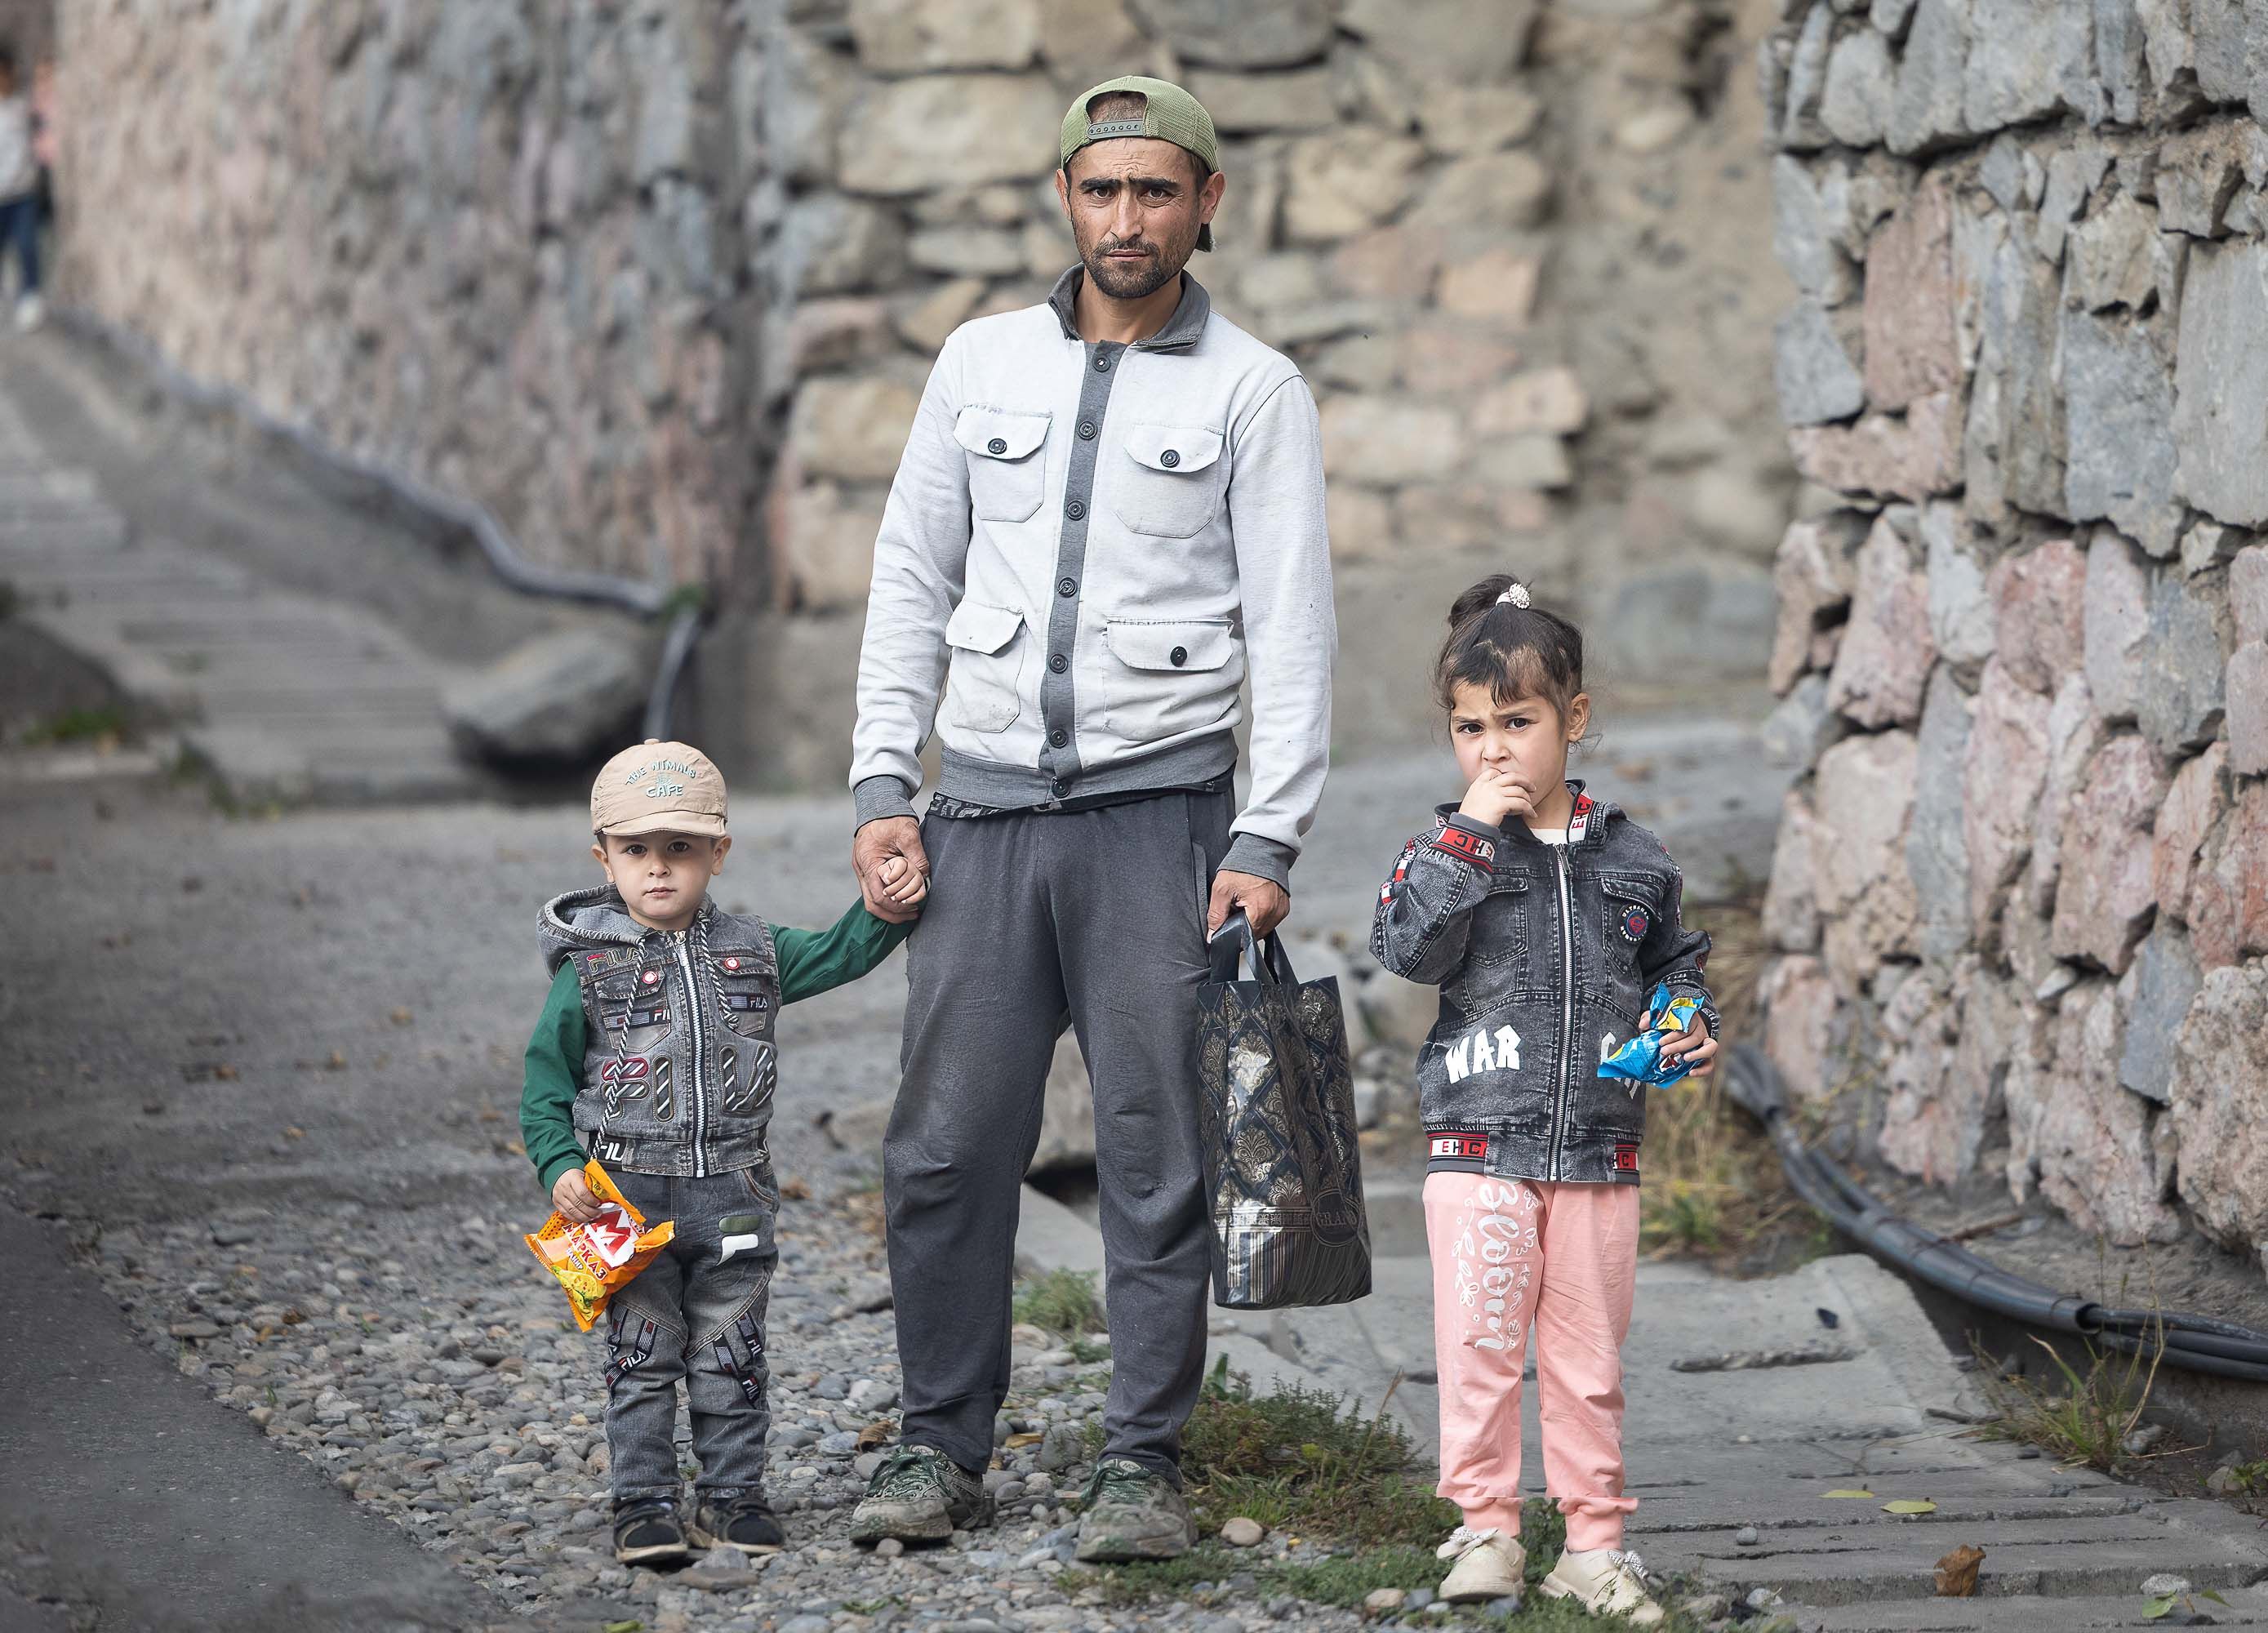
(657, 1056)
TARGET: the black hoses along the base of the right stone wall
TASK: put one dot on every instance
(2199, 1344)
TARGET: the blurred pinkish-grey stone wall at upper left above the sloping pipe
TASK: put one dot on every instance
(491, 242)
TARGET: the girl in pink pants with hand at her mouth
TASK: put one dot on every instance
(1548, 920)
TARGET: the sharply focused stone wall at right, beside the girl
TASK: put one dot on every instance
(2024, 890)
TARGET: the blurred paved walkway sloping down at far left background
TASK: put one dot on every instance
(280, 695)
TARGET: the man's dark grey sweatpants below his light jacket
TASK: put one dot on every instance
(1038, 920)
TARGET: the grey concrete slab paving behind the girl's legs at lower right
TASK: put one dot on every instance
(1713, 1453)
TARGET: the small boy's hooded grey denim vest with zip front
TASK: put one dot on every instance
(682, 1065)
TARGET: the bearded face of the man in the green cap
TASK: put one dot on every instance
(1135, 210)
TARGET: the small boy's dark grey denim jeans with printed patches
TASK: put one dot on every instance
(695, 1314)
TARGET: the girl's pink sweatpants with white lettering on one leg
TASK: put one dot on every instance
(1564, 1258)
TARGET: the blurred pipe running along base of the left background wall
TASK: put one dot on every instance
(468, 516)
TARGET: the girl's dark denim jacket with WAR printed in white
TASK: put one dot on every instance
(1546, 958)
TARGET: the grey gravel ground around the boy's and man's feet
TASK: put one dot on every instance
(464, 1405)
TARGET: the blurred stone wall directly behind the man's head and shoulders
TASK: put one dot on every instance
(1516, 251)
